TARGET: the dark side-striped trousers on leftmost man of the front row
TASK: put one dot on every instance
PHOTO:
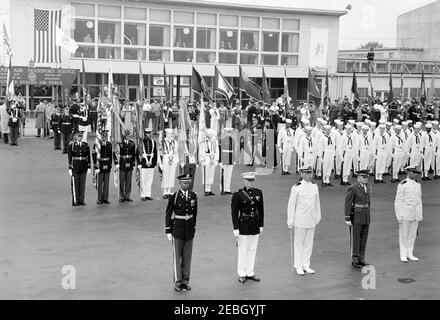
(182, 260)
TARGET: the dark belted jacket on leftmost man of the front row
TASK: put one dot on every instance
(178, 205)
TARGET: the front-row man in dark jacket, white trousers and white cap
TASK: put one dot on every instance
(247, 210)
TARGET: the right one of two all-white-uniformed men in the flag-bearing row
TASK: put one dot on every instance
(208, 157)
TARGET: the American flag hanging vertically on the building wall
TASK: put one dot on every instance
(45, 23)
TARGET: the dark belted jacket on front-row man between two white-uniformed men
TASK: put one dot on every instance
(356, 195)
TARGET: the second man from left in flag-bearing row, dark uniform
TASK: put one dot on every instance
(103, 166)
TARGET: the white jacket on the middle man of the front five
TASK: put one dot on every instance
(304, 208)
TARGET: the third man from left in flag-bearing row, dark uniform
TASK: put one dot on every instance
(125, 164)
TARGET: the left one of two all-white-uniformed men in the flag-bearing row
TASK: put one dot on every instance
(170, 159)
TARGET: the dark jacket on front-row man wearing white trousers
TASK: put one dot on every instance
(247, 215)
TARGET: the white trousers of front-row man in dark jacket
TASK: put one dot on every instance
(247, 250)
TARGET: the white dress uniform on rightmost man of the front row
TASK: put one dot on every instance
(408, 207)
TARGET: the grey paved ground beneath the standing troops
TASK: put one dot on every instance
(120, 251)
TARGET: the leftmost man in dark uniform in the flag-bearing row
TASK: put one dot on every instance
(79, 166)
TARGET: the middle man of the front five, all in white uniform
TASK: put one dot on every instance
(304, 214)
